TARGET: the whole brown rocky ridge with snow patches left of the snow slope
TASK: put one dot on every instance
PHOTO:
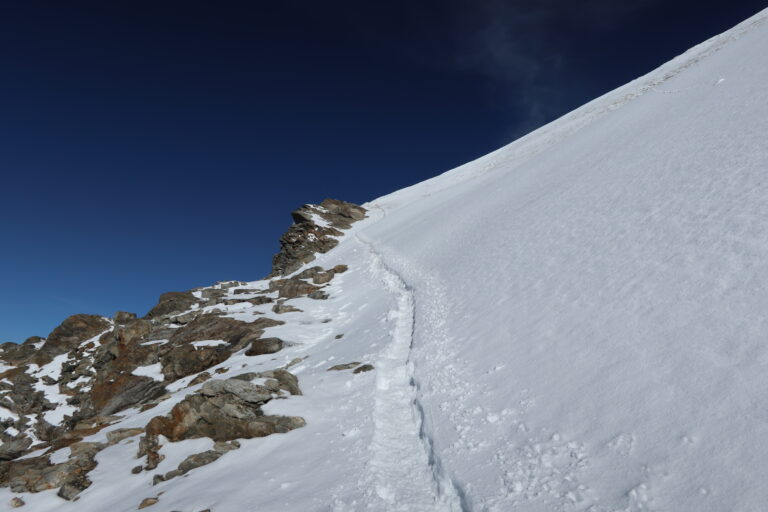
(58, 393)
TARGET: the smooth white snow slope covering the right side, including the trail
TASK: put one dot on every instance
(574, 322)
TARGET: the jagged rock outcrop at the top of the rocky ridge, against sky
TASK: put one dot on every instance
(306, 236)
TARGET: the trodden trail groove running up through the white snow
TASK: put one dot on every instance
(405, 473)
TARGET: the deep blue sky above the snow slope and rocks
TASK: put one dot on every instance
(156, 146)
